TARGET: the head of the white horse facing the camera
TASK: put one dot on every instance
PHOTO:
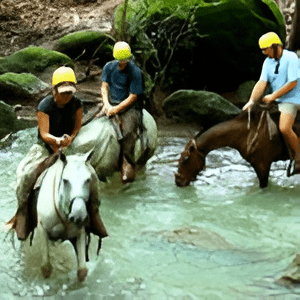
(74, 190)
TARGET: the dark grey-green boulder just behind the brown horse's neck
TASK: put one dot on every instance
(204, 108)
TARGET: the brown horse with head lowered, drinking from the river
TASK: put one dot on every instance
(255, 135)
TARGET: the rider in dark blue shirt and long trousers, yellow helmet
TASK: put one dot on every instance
(121, 86)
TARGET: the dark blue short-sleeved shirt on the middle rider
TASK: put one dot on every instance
(122, 83)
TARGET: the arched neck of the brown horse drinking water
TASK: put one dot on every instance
(225, 134)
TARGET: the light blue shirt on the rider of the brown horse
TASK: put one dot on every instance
(288, 71)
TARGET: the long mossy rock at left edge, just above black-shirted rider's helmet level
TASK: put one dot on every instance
(33, 60)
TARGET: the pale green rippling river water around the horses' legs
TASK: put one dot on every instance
(220, 238)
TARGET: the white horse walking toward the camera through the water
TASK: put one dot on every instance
(62, 207)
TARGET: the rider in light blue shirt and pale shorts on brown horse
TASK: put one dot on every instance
(280, 72)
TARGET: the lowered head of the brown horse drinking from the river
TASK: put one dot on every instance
(190, 163)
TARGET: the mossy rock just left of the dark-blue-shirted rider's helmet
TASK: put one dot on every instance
(84, 44)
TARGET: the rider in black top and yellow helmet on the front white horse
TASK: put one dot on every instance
(59, 119)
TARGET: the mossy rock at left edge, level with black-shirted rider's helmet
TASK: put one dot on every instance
(25, 86)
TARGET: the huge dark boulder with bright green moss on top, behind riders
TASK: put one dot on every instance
(217, 49)
